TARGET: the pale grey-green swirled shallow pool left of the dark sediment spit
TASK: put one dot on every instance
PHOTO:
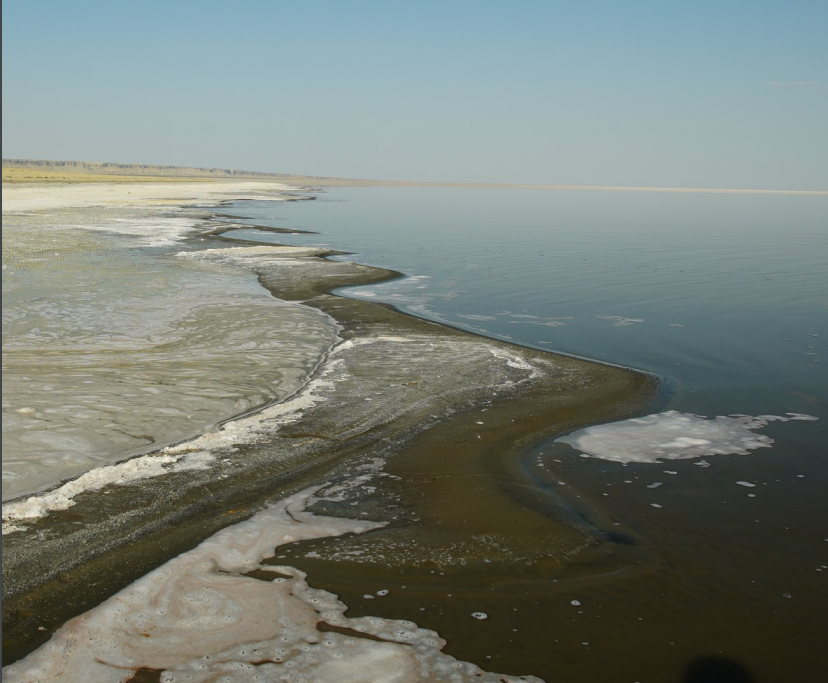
(110, 350)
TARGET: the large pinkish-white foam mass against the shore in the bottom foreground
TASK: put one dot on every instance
(198, 618)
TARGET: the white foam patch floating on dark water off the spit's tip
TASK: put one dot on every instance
(675, 436)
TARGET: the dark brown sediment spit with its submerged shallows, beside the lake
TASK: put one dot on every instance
(456, 490)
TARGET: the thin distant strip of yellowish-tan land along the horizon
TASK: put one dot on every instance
(50, 171)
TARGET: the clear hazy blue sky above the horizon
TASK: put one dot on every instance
(662, 93)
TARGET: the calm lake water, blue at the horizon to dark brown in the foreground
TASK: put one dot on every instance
(725, 298)
